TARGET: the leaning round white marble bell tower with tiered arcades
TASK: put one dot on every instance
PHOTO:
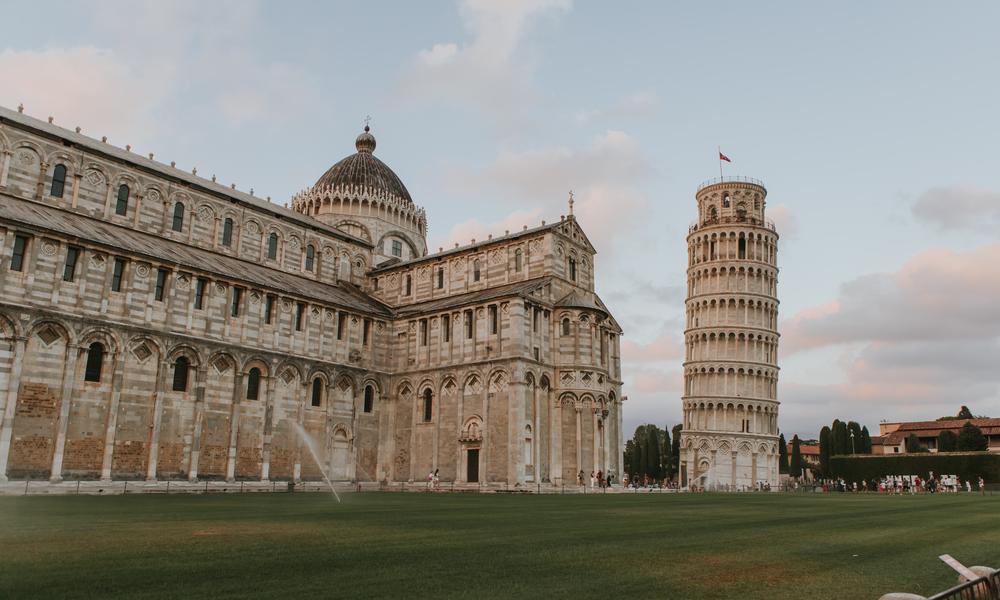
(730, 434)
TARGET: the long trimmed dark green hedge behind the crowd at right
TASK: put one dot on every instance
(967, 465)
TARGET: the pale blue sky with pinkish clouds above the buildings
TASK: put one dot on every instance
(873, 125)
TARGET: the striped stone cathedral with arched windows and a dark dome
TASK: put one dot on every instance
(158, 325)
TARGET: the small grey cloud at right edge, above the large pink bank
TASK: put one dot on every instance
(960, 208)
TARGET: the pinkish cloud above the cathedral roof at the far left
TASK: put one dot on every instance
(108, 96)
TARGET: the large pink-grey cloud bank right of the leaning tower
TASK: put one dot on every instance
(913, 344)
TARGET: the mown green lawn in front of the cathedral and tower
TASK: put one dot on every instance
(433, 545)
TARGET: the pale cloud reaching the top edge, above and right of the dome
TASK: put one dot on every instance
(485, 73)
